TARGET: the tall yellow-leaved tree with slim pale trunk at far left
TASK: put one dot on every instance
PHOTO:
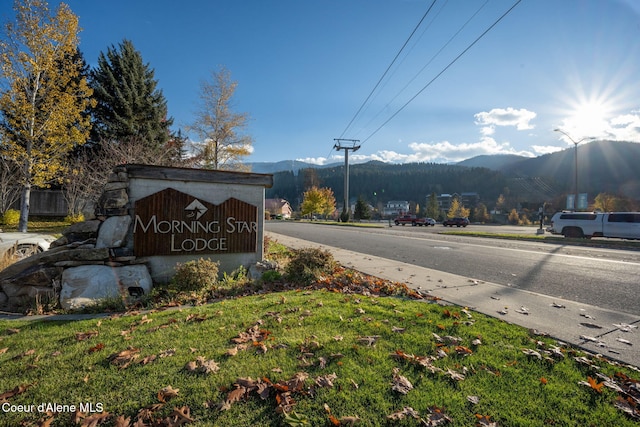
(43, 94)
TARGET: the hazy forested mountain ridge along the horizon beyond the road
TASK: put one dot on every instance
(603, 167)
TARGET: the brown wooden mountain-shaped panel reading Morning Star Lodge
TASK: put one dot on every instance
(171, 222)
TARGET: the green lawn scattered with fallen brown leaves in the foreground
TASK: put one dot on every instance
(320, 357)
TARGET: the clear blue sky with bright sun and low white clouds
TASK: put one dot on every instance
(305, 67)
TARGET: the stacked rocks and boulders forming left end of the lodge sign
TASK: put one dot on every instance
(93, 260)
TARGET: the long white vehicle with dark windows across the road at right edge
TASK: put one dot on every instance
(623, 225)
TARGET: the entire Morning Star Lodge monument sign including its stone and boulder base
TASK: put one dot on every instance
(98, 258)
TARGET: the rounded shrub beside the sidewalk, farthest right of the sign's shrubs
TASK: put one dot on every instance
(307, 265)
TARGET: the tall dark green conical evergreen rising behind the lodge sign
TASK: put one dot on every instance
(129, 104)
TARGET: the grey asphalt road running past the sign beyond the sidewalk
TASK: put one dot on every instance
(607, 278)
